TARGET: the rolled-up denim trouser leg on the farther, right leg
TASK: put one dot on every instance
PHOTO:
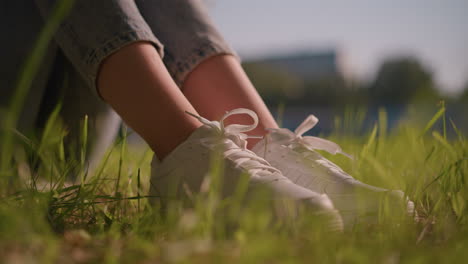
(188, 33)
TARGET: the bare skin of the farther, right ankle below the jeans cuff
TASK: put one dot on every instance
(219, 84)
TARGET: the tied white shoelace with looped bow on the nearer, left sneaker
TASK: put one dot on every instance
(243, 157)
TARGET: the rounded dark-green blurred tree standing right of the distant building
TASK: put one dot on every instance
(402, 80)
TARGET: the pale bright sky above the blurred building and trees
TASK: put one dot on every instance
(366, 31)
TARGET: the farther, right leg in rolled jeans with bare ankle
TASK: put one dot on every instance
(196, 55)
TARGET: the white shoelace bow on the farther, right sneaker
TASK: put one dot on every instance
(286, 137)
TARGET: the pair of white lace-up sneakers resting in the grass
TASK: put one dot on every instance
(283, 162)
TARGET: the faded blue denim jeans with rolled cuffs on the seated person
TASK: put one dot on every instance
(180, 30)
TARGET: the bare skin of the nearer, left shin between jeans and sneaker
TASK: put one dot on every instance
(135, 82)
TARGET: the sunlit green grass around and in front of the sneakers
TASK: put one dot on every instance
(105, 216)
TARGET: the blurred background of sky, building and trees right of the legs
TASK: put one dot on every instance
(348, 60)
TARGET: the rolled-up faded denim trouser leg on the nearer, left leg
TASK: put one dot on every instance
(94, 29)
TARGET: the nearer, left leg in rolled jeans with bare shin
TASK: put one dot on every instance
(110, 44)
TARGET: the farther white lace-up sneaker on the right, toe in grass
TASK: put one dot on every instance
(295, 156)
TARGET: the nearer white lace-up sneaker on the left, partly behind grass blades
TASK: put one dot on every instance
(183, 171)
